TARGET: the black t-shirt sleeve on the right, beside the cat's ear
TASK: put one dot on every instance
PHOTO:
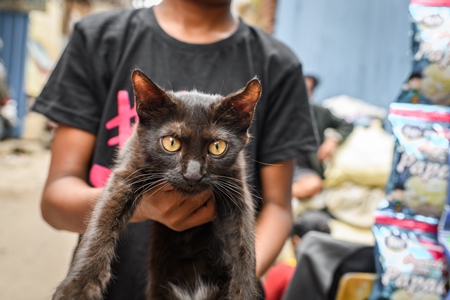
(288, 131)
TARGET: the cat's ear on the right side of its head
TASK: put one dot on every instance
(244, 100)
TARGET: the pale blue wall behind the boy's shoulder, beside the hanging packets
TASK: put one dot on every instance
(357, 47)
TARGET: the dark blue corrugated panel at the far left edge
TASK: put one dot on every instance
(13, 32)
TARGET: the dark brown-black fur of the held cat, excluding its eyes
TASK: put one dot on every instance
(212, 261)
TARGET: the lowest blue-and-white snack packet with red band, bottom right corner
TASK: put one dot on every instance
(410, 262)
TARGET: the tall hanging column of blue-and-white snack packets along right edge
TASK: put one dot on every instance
(412, 226)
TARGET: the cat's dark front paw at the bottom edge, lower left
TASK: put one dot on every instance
(75, 291)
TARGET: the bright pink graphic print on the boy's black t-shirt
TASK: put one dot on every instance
(99, 174)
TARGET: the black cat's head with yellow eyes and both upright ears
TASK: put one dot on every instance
(191, 139)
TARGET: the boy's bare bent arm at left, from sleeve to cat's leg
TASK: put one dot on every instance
(67, 198)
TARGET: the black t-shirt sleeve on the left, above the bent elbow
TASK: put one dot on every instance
(69, 95)
